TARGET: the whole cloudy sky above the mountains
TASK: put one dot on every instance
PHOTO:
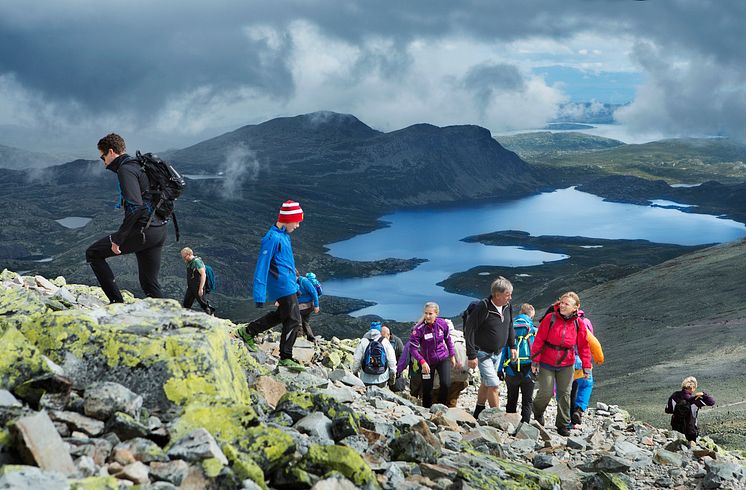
(170, 73)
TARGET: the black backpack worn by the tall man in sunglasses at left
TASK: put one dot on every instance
(166, 185)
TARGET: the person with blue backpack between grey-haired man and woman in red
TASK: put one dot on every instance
(519, 376)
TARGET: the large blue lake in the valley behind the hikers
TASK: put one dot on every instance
(436, 235)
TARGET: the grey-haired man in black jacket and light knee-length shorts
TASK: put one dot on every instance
(489, 328)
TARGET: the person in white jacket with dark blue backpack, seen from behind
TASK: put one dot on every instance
(374, 360)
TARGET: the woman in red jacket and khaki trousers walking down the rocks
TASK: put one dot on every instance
(553, 355)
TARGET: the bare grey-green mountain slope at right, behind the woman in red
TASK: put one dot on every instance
(683, 317)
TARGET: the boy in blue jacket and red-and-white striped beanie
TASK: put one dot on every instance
(274, 280)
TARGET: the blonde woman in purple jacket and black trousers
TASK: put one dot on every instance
(432, 347)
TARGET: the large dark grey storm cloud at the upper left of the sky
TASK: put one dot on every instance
(135, 58)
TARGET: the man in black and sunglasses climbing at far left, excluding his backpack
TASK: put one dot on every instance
(131, 237)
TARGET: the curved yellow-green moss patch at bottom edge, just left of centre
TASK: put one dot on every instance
(323, 459)
